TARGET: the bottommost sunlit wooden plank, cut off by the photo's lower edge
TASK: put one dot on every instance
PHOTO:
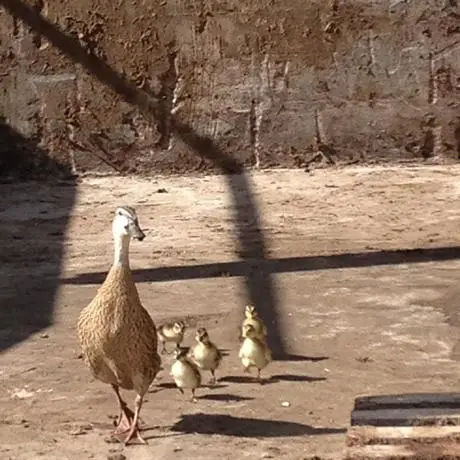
(383, 452)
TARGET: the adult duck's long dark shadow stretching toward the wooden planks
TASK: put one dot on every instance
(246, 427)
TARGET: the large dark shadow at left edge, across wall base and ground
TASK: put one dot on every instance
(32, 236)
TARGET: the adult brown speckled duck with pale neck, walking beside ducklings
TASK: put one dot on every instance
(117, 335)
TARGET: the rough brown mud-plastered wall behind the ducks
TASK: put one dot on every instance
(169, 85)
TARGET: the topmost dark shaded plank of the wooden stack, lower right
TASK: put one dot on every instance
(409, 400)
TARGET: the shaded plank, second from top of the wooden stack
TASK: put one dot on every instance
(406, 417)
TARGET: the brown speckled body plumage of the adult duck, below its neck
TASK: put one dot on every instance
(118, 336)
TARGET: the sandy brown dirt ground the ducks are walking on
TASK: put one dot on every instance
(359, 318)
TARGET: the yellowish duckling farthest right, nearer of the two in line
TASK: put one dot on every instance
(254, 352)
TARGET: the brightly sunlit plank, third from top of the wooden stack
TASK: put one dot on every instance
(367, 435)
